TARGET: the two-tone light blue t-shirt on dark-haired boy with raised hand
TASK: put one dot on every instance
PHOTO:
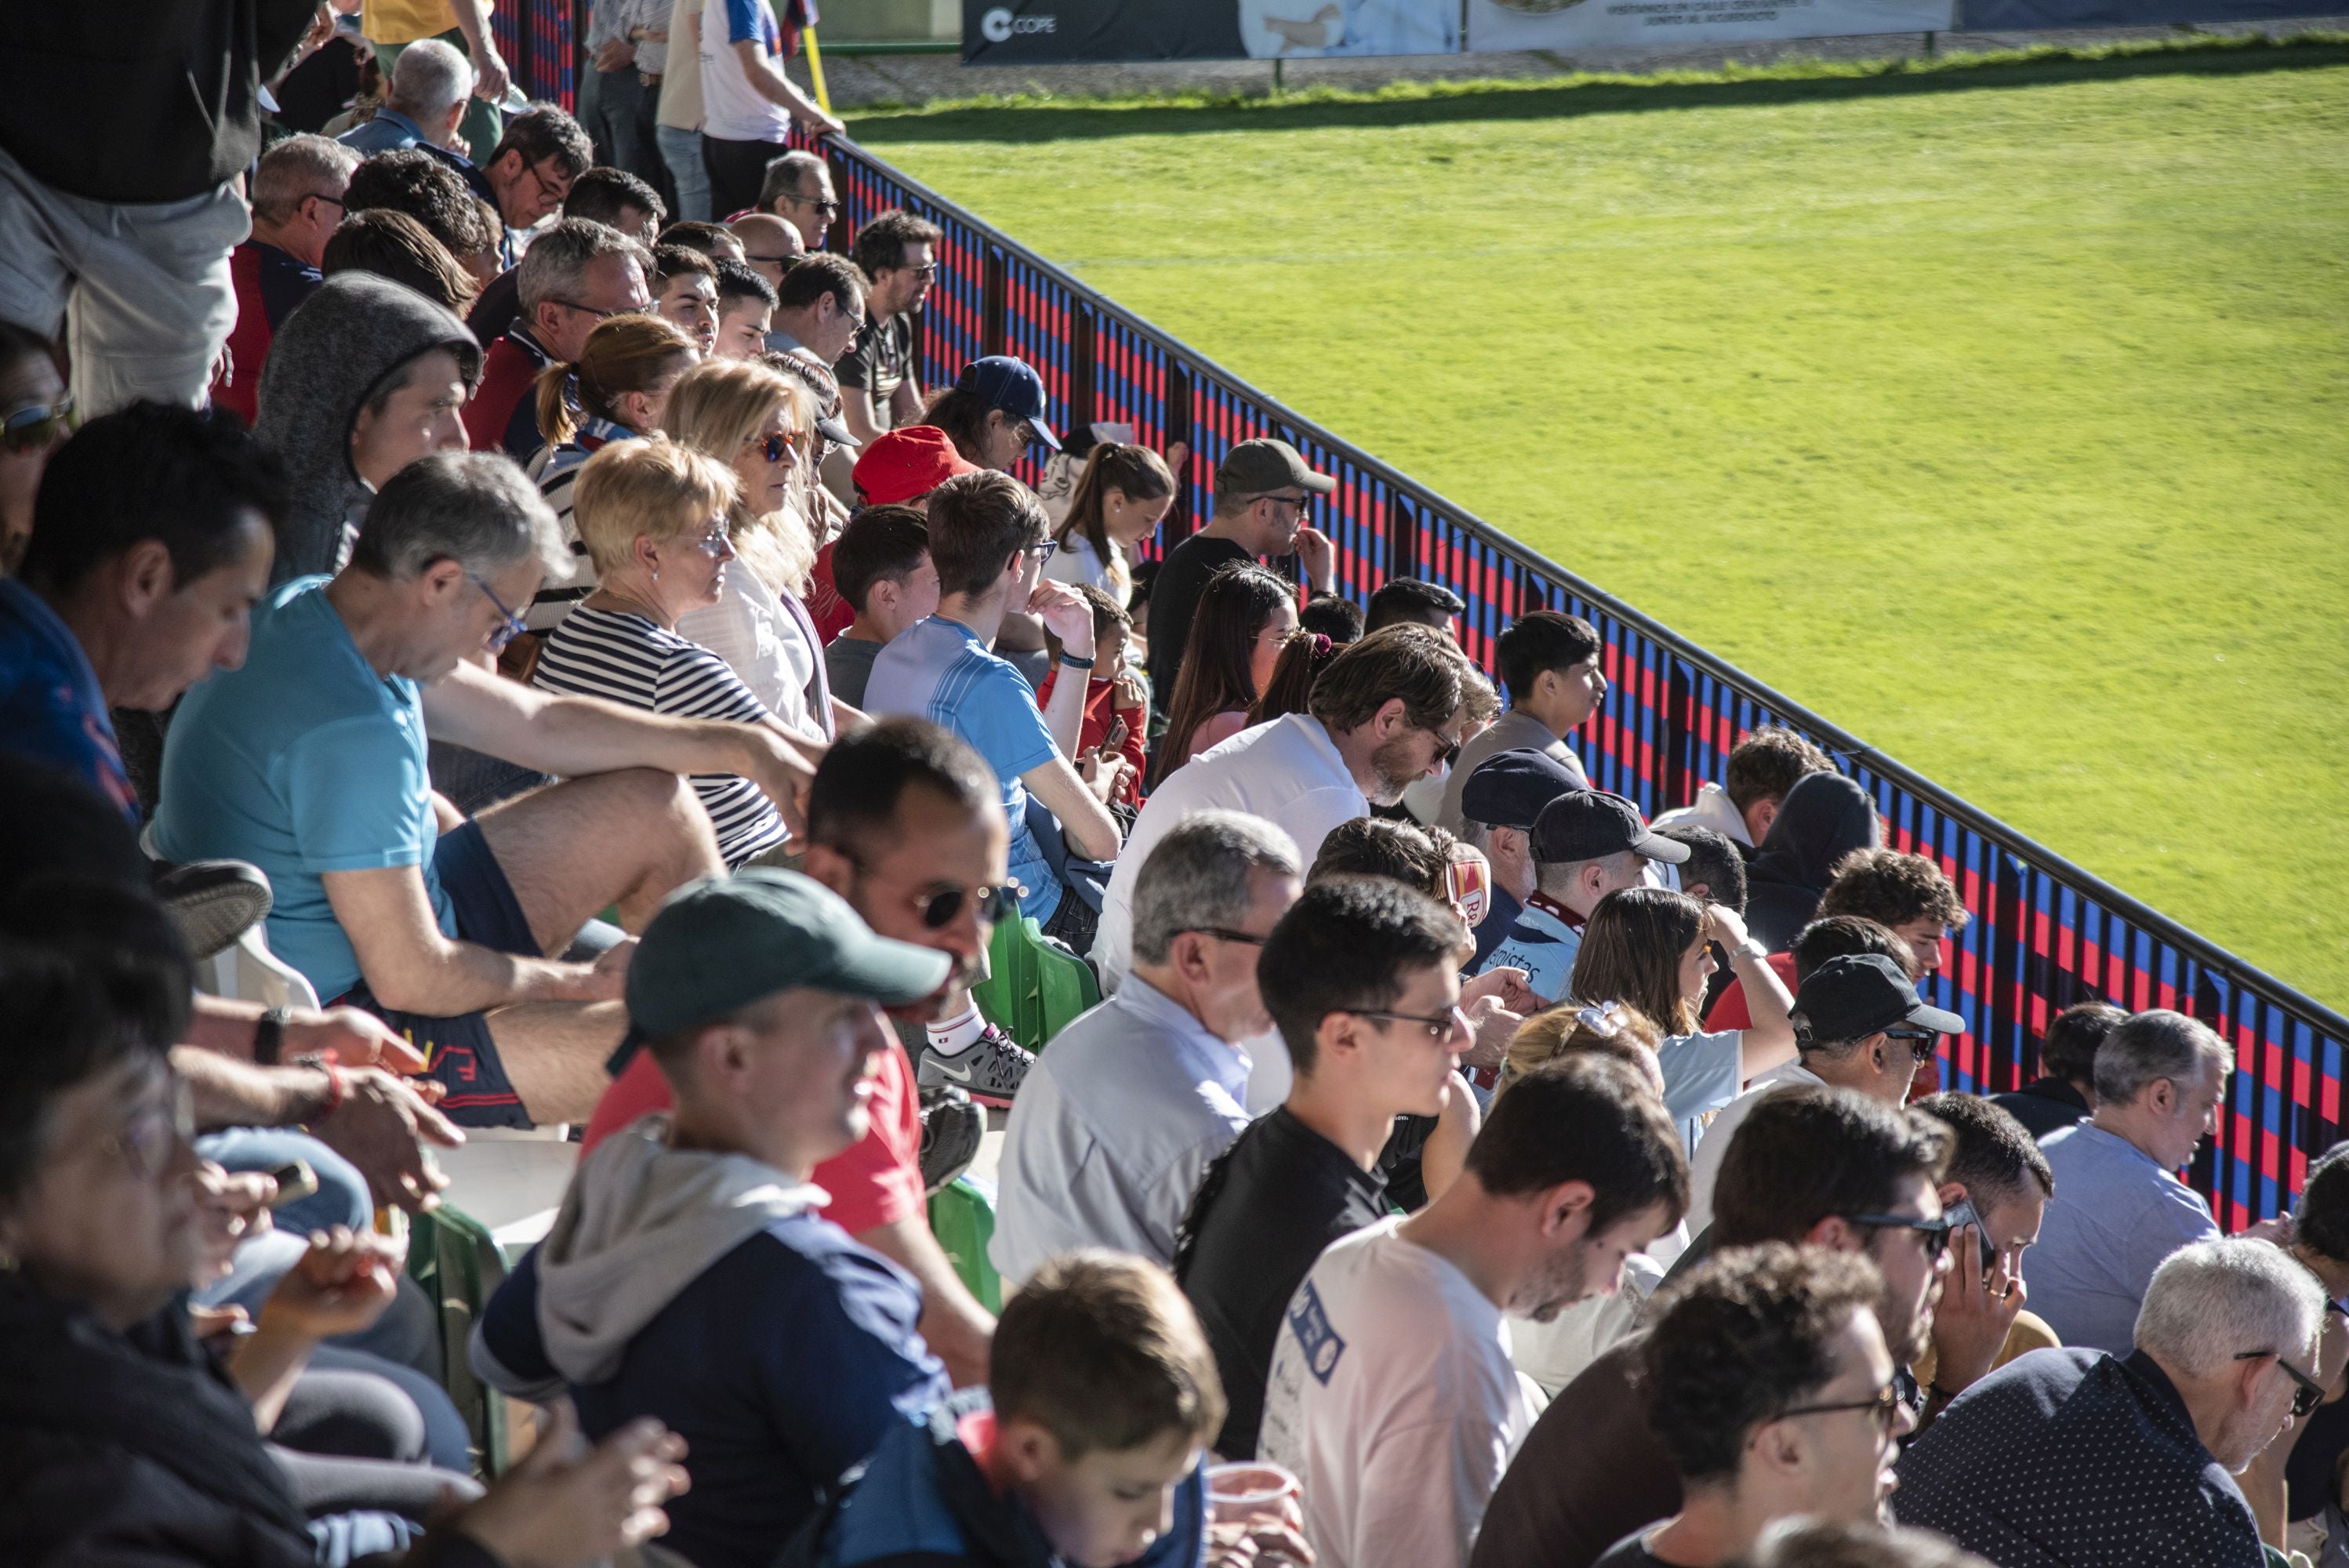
(943, 673)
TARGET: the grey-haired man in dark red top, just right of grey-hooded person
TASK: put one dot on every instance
(574, 278)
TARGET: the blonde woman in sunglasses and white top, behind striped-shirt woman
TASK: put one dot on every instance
(758, 424)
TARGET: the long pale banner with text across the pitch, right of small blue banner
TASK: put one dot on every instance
(1669, 25)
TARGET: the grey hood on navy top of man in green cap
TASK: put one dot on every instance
(638, 1226)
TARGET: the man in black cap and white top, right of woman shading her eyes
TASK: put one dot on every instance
(1859, 1027)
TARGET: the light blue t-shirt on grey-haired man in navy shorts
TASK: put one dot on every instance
(302, 762)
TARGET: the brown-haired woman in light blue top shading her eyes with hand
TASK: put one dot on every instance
(1653, 952)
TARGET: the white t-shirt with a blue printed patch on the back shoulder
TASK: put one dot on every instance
(1396, 1405)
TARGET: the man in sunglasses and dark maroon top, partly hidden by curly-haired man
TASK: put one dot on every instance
(1815, 1168)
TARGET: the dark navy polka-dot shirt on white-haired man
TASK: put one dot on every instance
(2073, 1459)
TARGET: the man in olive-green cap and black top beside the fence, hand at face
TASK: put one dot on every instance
(1263, 501)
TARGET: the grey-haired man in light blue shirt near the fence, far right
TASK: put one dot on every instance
(2120, 1205)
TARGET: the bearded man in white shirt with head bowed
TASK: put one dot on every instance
(1385, 715)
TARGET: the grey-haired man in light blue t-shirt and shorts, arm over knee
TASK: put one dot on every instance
(311, 764)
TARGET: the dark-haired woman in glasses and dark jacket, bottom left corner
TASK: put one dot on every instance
(123, 1433)
